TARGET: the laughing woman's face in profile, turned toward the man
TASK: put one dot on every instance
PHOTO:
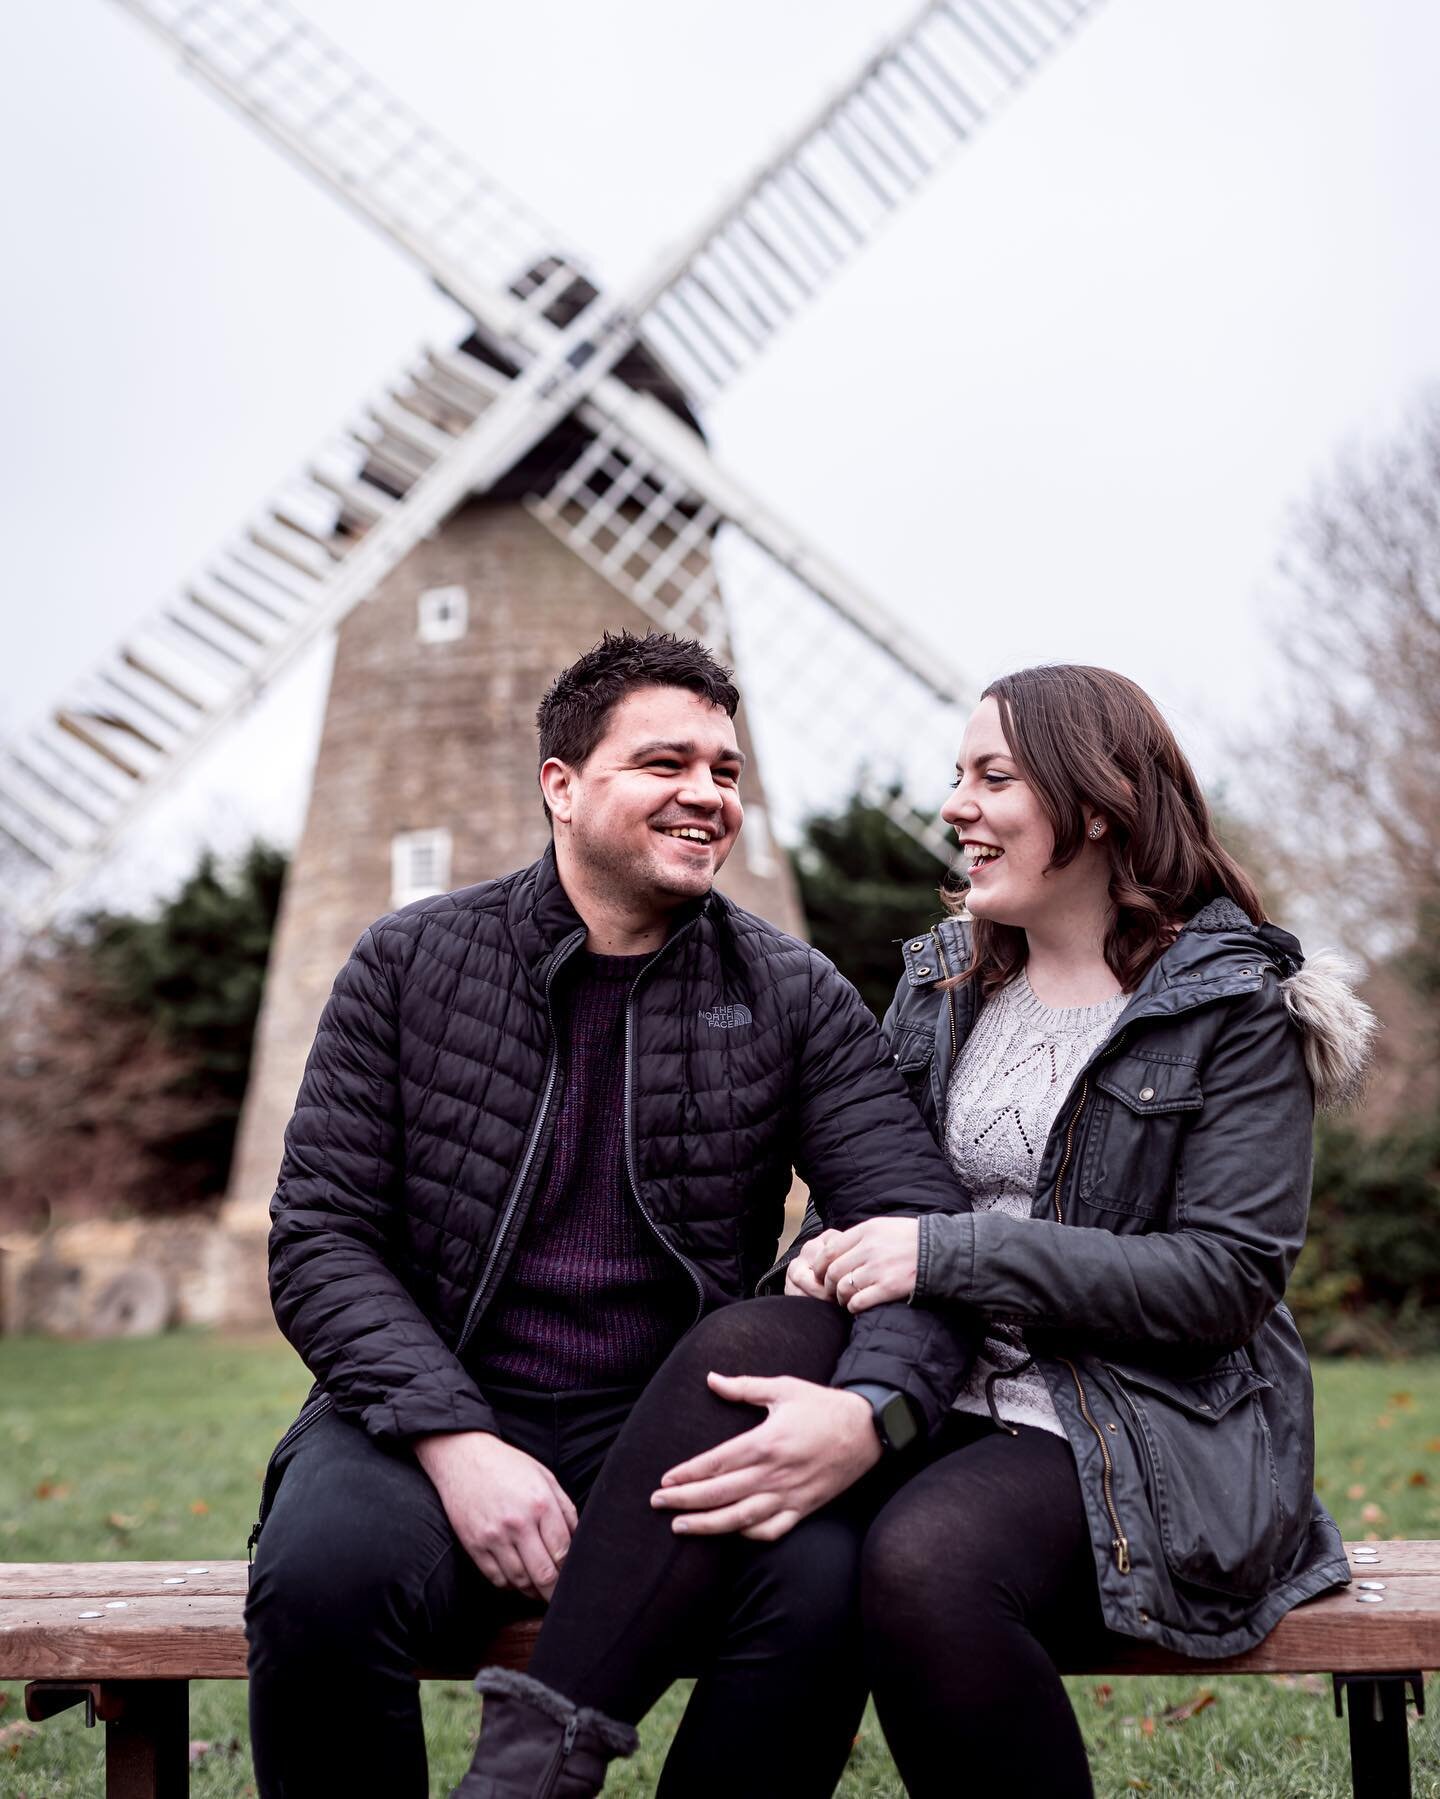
(1005, 832)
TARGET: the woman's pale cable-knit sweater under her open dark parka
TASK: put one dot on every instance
(1011, 1080)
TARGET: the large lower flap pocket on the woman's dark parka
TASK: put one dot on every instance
(1214, 1489)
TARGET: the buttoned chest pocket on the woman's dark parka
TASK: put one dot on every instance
(1135, 1132)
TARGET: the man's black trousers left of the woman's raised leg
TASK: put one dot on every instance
(359, 1580)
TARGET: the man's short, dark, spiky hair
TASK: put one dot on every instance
(580, 699)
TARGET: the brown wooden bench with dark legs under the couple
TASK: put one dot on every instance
(125, 1638)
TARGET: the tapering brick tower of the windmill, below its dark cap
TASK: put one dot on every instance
(427, 780)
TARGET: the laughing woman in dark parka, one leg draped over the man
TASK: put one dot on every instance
(1120, 1059)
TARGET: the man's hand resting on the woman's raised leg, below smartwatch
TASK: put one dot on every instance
(813, 1447)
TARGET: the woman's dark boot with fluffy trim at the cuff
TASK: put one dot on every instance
(535, 1744)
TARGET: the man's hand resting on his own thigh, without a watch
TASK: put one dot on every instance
(510, 1514)
